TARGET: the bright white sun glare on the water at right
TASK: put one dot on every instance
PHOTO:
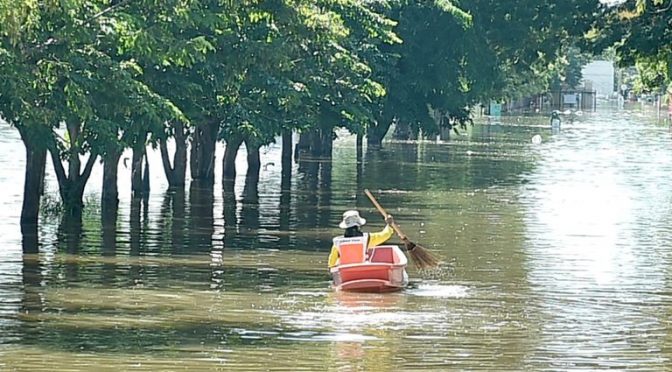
(594, 208)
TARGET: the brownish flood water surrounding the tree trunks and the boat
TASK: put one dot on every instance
(556, 256)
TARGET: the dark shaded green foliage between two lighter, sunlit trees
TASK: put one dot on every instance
(428, 69)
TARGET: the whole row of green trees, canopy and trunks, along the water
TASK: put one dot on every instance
(84, 80)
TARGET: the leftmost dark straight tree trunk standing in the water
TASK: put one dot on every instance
(36, 158)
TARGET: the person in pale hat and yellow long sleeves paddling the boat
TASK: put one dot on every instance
(352, 223)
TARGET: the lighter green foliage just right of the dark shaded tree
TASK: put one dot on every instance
(534, 44)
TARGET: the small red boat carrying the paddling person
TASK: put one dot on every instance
(377, 269)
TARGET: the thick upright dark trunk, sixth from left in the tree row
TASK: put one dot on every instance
(203, 152)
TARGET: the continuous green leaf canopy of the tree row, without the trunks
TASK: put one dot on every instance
(125, 69)
